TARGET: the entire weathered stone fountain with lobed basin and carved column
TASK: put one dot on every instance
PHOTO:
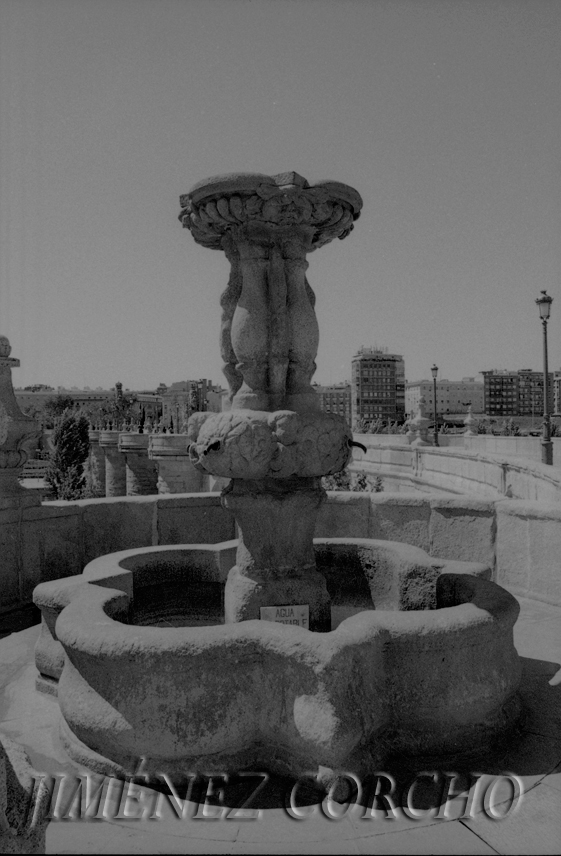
(147, 663)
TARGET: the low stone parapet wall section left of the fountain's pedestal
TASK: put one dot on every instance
(57, 539)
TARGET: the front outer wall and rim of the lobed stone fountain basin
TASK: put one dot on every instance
(287, 699)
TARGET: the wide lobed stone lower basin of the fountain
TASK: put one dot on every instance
(429, 668)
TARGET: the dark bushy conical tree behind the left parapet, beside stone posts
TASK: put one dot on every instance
(65, 475)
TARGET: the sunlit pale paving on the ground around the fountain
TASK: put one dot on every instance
(535, 755)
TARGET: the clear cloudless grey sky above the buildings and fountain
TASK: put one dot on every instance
(445, 115)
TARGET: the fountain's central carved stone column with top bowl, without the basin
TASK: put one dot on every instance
(274, 443)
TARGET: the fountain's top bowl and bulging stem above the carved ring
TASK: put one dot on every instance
(266, 225)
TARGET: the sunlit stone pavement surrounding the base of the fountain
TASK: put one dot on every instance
(531, 826)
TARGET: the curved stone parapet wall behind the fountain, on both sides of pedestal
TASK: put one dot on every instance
(520, 539)
